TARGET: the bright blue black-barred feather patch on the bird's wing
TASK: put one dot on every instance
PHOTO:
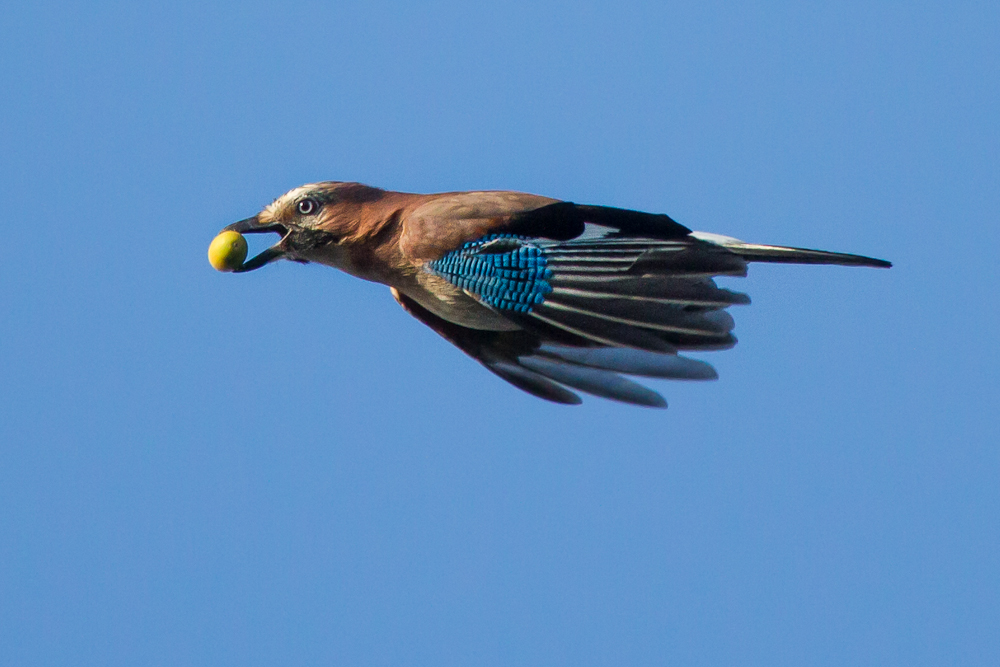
(504, 270)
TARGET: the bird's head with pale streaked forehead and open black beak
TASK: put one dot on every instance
(311, 219)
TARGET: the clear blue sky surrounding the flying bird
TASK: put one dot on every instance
(283, 468)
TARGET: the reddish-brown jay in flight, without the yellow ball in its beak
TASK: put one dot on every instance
(549, 295)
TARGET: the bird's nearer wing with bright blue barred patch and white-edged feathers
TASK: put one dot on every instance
(612, 277)
